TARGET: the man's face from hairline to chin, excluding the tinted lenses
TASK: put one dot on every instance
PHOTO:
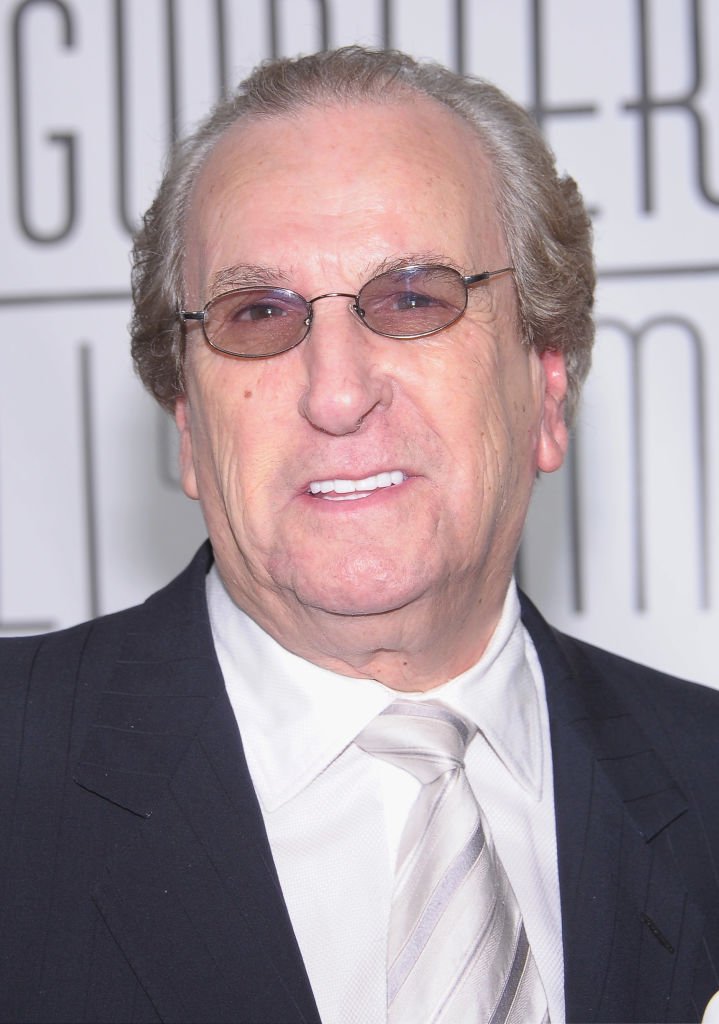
(320, 203)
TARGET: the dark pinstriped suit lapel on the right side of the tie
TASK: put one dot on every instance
(632, 937)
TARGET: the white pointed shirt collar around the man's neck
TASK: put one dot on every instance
(297, 718)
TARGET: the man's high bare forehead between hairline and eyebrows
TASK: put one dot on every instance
(358, 176)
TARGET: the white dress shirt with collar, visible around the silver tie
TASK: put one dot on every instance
(334, 815)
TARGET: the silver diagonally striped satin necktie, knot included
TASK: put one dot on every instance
(457, 949)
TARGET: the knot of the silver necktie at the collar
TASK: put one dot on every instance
(426, 739)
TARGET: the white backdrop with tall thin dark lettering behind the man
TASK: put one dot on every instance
(622, 546)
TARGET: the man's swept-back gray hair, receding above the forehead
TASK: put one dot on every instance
(545, 224)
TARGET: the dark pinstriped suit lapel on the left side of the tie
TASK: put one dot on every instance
(191, 893)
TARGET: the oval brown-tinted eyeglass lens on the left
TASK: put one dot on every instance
(257, 322)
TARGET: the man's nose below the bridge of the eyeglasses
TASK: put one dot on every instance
(346, 380)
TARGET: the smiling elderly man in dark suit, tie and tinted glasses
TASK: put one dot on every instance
(336, 772)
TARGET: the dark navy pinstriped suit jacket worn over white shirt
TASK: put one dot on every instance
(138, 882)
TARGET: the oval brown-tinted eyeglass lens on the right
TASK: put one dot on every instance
(413, 302)
